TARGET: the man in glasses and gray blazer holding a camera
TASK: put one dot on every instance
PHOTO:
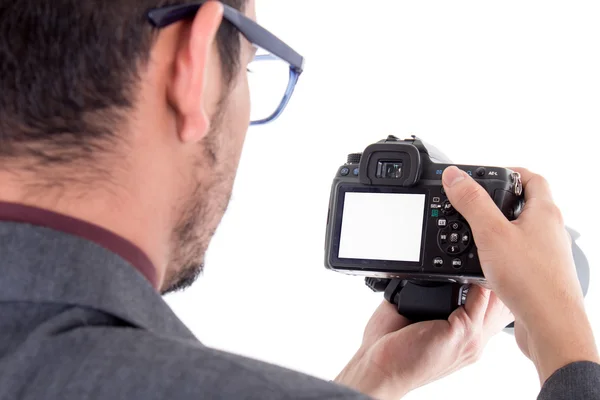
(121, 127)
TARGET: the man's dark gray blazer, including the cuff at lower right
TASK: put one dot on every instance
(78, 322)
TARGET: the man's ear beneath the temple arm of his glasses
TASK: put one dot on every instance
(190, 89)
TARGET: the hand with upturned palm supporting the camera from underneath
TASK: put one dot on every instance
(396, 357)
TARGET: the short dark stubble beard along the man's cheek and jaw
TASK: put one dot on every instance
(200, 211)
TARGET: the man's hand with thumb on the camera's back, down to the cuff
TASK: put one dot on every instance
(529, 264)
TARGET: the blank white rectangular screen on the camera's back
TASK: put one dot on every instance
(382, 226)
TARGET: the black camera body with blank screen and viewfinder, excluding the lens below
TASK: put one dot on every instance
(389, 216)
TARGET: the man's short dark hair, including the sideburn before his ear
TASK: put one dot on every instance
(69, 70)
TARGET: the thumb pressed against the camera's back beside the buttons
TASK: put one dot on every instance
(471, 200)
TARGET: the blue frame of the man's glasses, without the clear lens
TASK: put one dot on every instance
(253, 32)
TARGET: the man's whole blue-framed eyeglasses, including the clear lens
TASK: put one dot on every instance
(273, 73)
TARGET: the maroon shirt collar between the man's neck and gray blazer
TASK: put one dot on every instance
(36, 216)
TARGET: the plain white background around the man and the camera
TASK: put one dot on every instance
(497, 83)
